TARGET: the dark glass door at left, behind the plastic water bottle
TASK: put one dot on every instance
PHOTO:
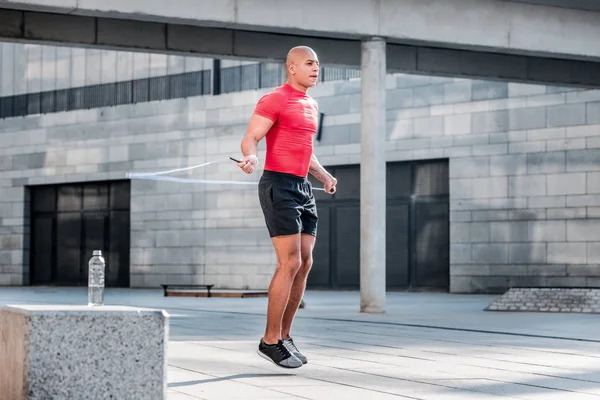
(69, 222)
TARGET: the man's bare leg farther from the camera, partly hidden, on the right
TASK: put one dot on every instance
(299, 285)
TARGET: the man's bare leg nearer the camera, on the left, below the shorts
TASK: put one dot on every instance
(287, 249)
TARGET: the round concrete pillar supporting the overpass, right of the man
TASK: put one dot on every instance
(372, 176)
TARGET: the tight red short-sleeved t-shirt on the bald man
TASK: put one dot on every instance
(290, 139)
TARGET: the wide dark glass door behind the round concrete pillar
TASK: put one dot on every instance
(417, 228)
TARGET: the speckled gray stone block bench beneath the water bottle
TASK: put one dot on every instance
(80, 352)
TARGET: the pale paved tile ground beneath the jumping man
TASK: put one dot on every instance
(426, 346)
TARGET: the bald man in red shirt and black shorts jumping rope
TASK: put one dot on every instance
(288, 118)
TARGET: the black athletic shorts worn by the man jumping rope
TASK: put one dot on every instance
(288, 204)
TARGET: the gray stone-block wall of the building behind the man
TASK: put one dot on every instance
(524, 173)
